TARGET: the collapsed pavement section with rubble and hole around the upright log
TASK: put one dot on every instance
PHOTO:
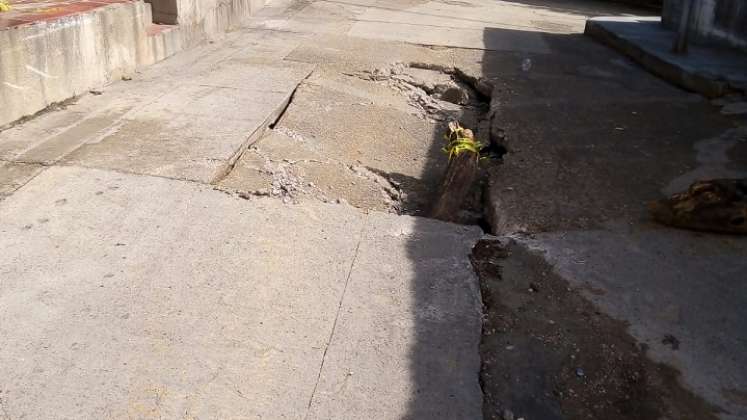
(293, 162)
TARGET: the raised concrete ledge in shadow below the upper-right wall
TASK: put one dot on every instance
(710, 71)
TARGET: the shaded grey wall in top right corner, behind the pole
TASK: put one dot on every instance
(719, 22)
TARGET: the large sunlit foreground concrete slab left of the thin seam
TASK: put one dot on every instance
(188, 302)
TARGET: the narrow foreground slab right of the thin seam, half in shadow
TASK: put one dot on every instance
(426, 294)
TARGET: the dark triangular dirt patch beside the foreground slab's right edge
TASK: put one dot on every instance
(548, 353)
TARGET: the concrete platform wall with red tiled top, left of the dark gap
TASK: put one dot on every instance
(53, 51)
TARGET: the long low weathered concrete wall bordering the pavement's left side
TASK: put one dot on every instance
(49, 62)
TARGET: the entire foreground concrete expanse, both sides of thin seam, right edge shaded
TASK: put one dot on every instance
(195, 303)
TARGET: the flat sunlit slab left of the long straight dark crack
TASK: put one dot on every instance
(197, 130)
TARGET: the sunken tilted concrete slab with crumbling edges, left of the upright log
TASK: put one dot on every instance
(380, 147)
